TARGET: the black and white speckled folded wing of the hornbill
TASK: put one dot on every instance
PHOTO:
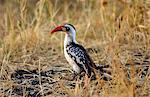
(80, 57)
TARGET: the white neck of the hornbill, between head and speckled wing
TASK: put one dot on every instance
(69, 39)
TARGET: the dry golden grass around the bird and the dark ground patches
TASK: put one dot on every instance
(120, 29)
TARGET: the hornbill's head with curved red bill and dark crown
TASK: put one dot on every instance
(68, 28)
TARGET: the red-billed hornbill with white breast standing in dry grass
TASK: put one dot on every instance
(74, 53)
